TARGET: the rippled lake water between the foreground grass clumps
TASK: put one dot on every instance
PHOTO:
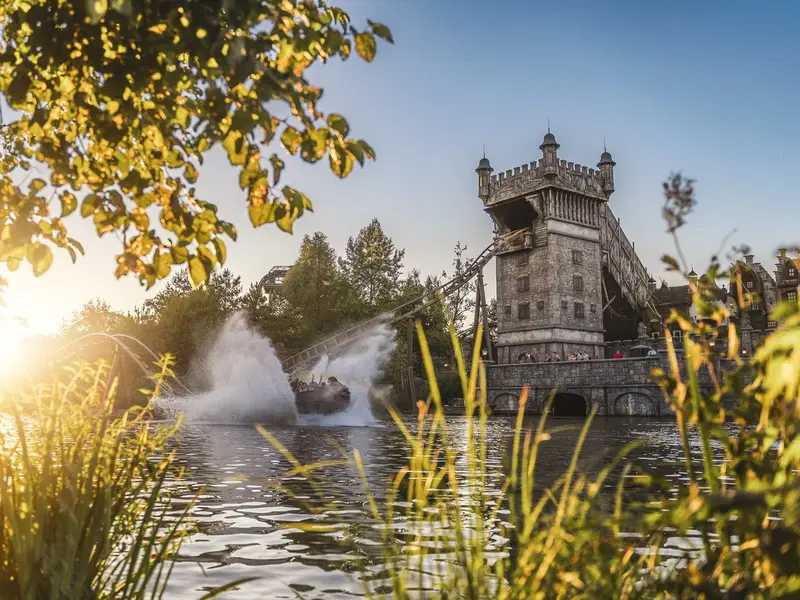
(253, 519)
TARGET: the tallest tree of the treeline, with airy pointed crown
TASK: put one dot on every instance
(372, 264)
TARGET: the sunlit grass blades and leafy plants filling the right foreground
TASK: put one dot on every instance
(444, 520)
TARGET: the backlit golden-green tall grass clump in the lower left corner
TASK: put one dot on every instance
(82, 494)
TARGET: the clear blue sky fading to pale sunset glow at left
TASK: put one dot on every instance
(710, 89)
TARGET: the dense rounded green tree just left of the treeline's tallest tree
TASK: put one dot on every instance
(315, 288)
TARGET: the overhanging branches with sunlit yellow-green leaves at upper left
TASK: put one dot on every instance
(121, 100)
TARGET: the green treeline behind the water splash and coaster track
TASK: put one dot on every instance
(324, 293)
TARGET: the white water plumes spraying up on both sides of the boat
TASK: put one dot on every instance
(248, 384)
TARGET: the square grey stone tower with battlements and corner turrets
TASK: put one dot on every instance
(548, 216)
